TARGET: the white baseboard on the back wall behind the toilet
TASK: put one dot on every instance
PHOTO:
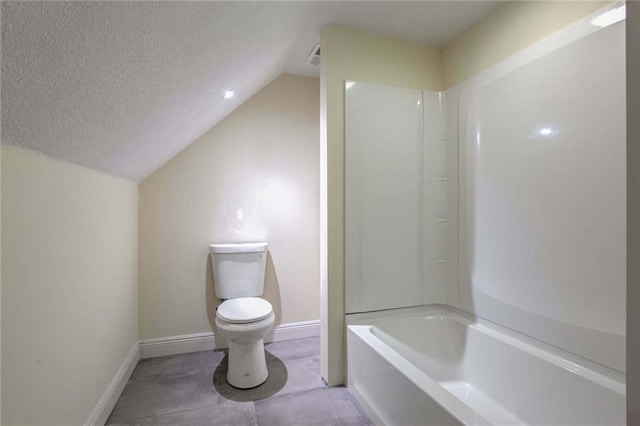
(151, 348)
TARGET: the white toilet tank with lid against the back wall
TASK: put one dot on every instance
(238, 269)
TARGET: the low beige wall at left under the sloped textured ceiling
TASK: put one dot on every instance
(69, 286)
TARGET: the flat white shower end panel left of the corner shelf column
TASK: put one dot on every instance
(383, 203)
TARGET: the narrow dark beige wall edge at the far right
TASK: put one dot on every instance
(633, 213)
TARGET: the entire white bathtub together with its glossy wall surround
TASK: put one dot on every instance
(503, 197)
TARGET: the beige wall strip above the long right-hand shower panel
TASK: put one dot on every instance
(510, 28)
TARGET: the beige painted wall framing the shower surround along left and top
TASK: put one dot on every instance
(351, 55)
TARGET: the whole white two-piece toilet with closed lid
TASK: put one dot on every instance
(242, 318)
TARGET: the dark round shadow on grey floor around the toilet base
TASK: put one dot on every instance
(275, 382)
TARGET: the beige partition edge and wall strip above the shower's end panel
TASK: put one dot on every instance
(352, 55)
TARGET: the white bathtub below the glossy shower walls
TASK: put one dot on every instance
(436, 365)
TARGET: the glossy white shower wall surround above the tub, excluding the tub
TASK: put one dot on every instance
(538, 263)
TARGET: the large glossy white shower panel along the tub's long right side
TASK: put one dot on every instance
(543, 195)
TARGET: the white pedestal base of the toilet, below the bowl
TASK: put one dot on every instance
(247, 365)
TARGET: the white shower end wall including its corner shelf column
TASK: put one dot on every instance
(398, 187)
